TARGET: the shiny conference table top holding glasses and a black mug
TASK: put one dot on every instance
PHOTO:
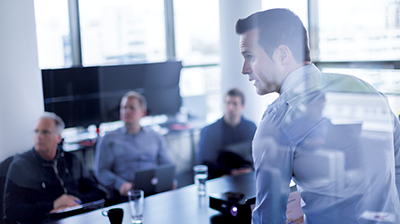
(178, 206)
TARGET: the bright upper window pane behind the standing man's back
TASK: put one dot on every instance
(365, 30)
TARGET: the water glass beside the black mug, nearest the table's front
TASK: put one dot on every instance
(136, 205)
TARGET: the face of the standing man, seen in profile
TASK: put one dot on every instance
(264, 72)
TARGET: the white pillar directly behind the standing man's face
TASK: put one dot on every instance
(231, 59)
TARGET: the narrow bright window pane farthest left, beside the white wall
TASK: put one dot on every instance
(52, 30)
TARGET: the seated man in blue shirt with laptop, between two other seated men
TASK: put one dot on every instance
(129, 149)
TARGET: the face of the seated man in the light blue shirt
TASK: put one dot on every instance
(131, 111)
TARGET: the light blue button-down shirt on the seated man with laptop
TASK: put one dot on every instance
(119, 154)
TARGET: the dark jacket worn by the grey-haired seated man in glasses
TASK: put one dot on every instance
(33, 184)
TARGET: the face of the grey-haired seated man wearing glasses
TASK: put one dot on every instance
(46, 137)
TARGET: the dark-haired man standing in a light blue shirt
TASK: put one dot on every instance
(321, 131)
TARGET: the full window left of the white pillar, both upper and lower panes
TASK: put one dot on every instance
(197, 45)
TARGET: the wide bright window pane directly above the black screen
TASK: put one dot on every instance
(122, 31)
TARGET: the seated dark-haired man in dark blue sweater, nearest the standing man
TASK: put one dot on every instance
(225, 146)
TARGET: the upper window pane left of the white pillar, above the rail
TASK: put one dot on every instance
(197, 31)
